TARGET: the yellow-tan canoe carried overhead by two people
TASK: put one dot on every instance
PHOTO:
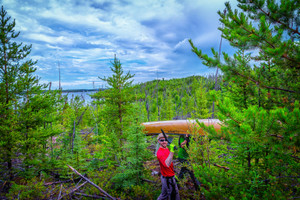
(178, 127)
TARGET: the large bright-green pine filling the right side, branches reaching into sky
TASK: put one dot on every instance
(259, 107)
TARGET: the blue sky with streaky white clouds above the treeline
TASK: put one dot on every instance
(150, 37)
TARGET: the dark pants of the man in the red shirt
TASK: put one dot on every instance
(169, 189)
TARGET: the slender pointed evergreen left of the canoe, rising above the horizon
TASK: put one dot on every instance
(117, 102)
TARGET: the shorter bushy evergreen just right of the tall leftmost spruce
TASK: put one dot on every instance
(37, 117)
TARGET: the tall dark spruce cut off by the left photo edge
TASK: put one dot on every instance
(11, 86)
